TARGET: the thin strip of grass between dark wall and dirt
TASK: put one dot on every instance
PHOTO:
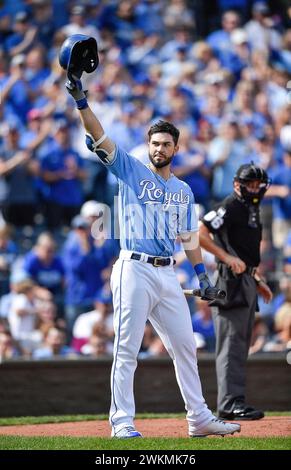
(16, 421)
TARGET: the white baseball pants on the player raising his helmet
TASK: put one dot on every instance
(143, 292)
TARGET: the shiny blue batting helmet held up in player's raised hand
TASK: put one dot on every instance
(79, 53)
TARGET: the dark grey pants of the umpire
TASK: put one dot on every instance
(233, 329)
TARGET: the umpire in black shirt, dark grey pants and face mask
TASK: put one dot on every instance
(233, 232)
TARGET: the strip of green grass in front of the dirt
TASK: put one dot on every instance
(89, 443)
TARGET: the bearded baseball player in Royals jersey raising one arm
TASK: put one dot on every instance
(154, 206)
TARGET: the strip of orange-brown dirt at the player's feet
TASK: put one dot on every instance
(267, 427)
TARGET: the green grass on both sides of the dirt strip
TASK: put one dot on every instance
(95, 443)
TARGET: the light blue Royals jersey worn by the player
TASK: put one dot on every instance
(152, 210)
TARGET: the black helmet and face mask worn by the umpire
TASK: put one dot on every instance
(251, 172)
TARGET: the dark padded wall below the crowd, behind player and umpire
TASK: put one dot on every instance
(35, 388)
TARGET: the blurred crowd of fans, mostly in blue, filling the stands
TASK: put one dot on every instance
(219, 70)
